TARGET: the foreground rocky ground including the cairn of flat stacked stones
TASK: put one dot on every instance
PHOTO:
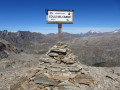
(60, 69)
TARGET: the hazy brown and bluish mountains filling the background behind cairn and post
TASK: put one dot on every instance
(92, 48)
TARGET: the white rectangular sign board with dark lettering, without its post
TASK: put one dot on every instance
(58, 16)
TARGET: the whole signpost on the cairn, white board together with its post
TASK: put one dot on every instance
(59, 17)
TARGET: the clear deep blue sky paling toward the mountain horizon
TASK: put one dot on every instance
(99, 15)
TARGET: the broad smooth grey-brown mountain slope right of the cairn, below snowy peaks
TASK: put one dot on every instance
(98, 49)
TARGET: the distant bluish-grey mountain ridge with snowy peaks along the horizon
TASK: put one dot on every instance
(34, 37)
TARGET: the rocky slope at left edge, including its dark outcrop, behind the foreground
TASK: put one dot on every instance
(11, 58)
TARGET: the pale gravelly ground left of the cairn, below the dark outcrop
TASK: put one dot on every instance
(16, 61)
